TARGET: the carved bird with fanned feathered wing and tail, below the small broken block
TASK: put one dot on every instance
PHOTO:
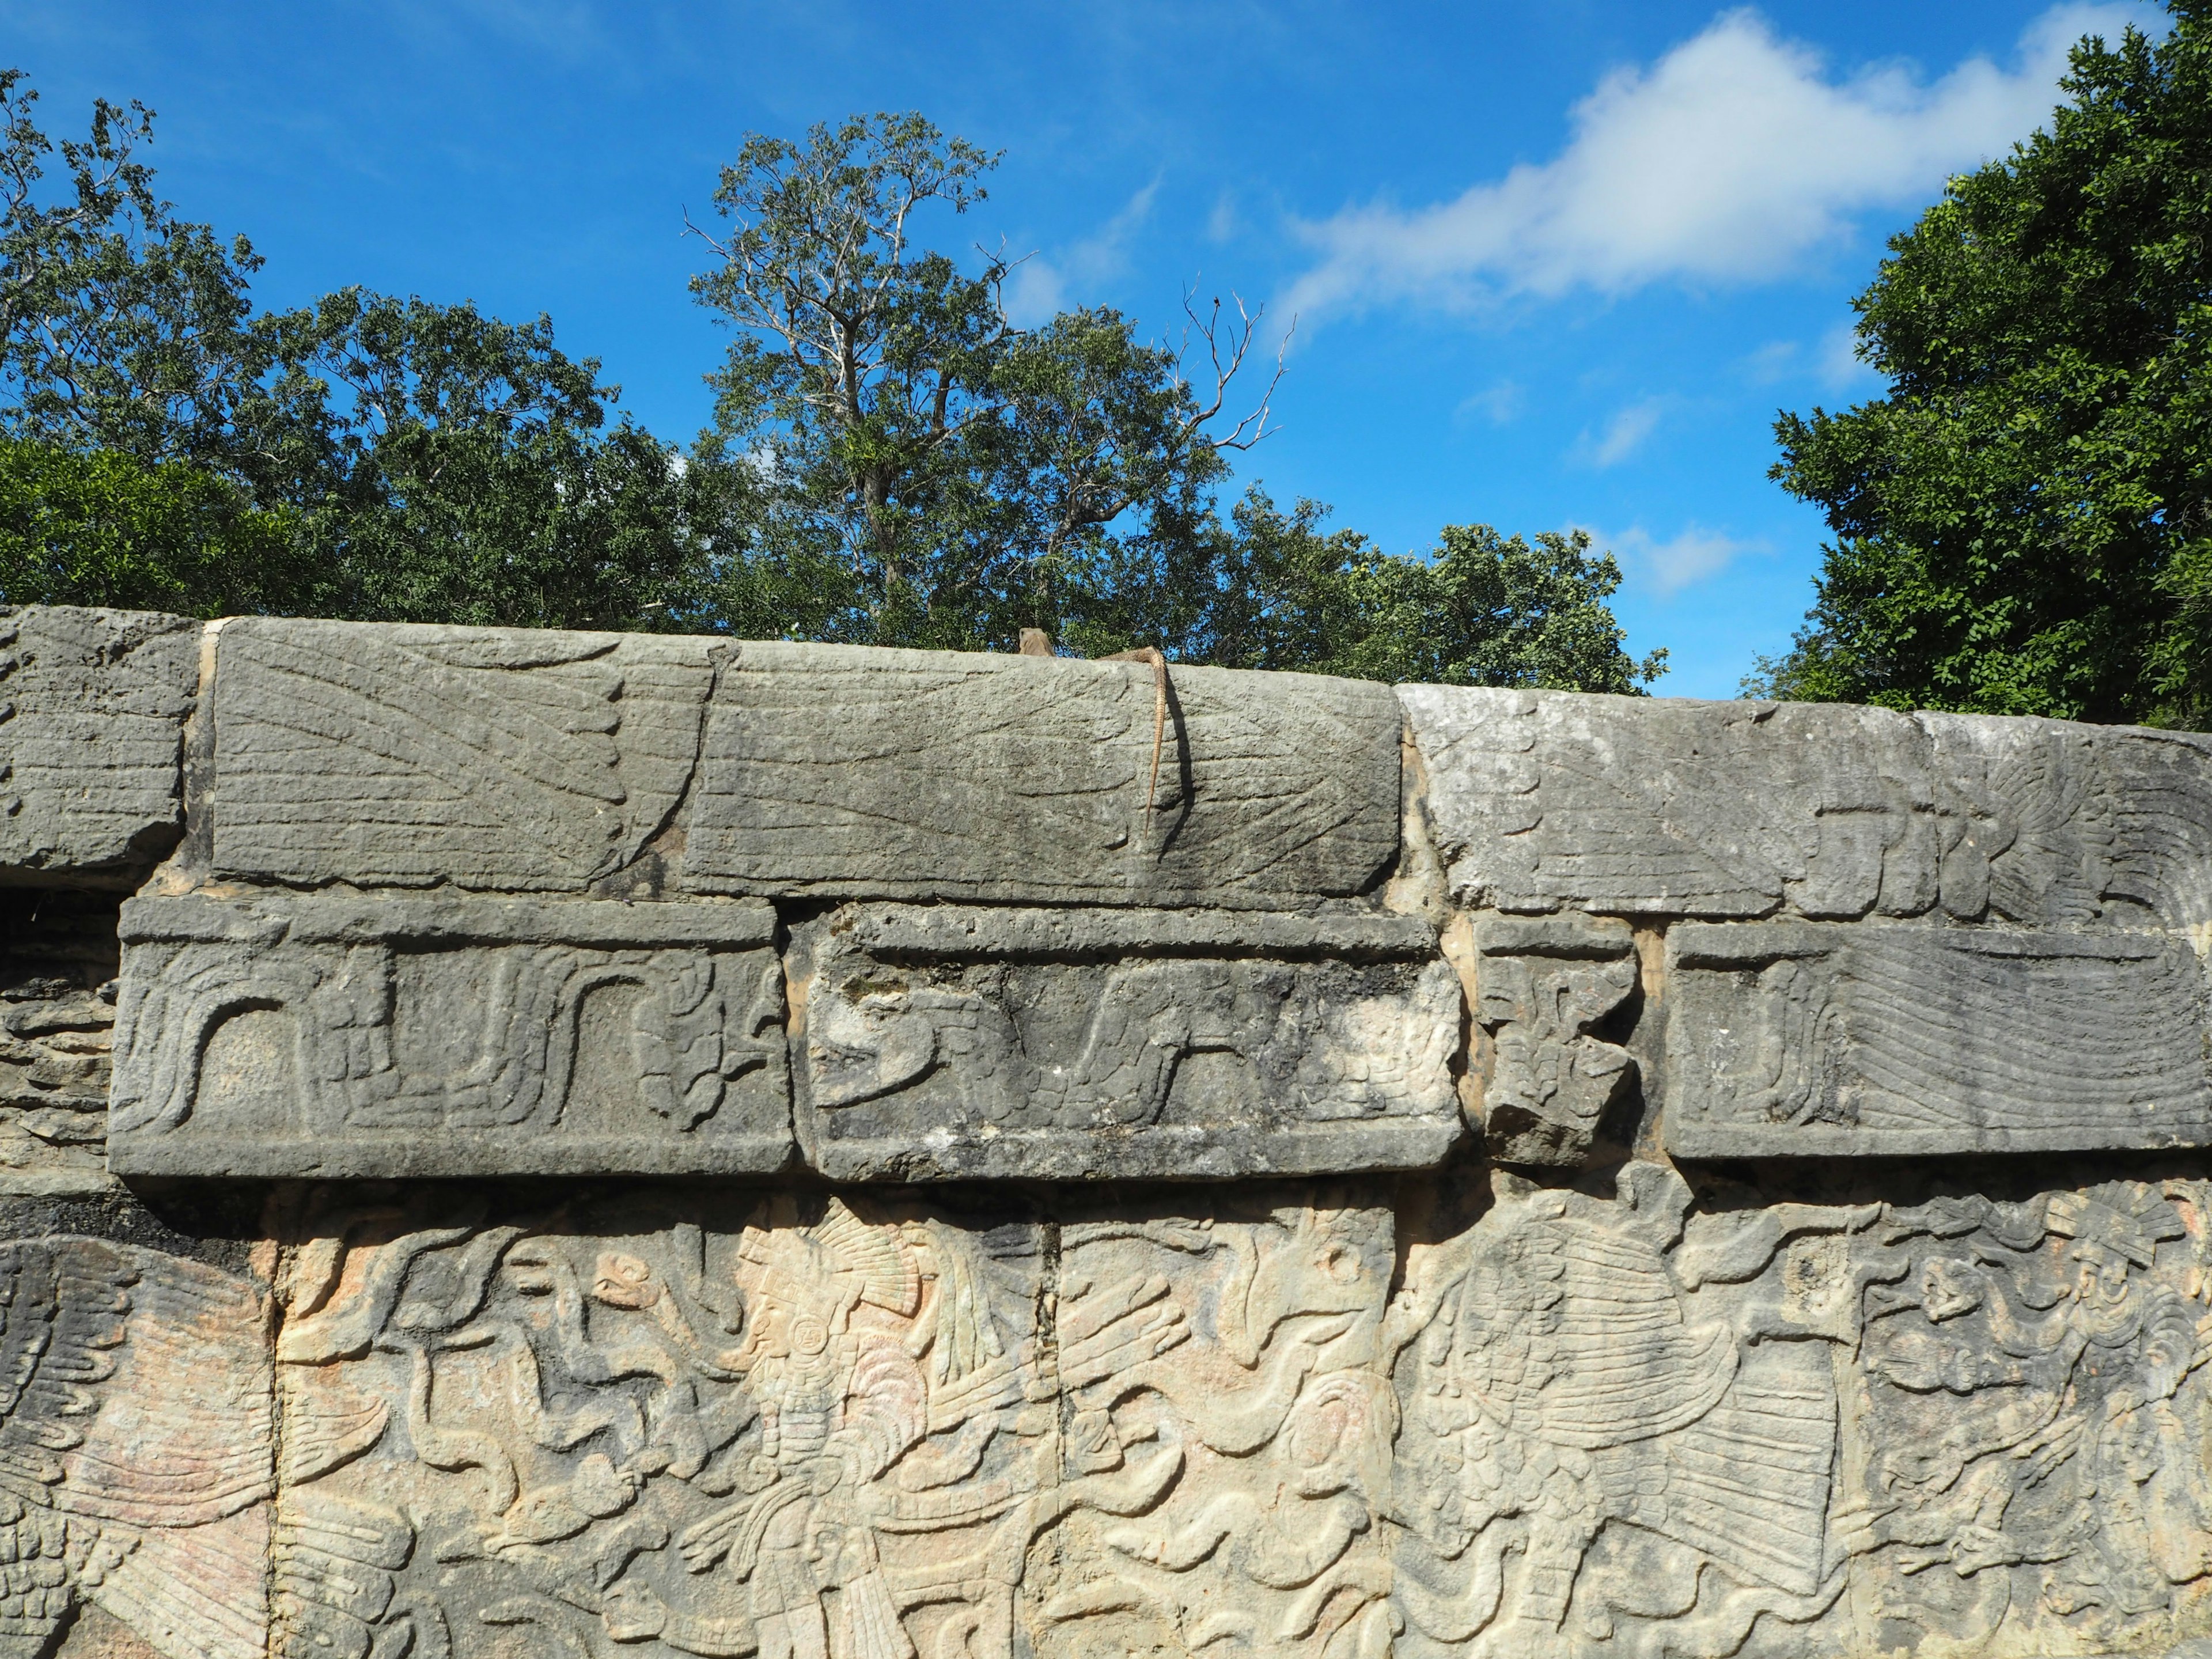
(1620, 1426)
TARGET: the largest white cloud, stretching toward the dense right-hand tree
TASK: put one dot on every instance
(1735, 158)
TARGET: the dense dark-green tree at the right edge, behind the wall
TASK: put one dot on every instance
(2021, 523)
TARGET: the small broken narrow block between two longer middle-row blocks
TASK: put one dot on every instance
(1543, 985)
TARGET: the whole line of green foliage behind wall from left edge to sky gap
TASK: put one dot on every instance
(893, 461)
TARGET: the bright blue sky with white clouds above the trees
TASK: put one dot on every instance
(1554, 264)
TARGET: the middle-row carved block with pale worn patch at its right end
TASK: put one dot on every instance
(1074, 1045)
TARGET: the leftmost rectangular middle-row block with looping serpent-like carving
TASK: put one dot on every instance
(448, 1036)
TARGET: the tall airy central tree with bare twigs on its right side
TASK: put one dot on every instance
(924, 472)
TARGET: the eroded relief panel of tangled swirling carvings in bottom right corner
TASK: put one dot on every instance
(2027, 1461)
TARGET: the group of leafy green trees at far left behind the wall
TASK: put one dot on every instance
(421, 461)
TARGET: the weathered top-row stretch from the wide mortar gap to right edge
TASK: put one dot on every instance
(1733, 811)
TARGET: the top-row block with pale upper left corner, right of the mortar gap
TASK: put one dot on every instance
(1649, 806)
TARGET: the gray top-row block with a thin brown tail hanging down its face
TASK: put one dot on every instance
(848, 771)
